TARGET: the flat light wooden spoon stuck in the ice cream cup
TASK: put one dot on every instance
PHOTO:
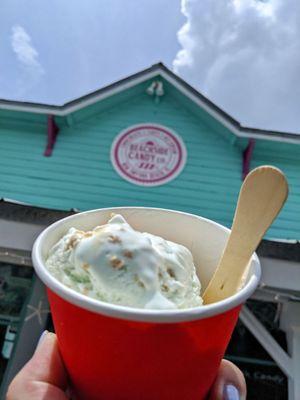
(262, 195)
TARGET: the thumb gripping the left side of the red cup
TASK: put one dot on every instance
(43, 377)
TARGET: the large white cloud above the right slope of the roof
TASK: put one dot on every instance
(245, 56)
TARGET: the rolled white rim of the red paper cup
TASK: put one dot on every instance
(139, 314)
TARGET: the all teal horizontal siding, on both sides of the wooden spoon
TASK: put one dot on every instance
(79, 173)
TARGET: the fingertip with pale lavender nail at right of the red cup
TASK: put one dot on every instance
(229, 384)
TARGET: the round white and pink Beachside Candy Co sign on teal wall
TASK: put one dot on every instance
(148, 154)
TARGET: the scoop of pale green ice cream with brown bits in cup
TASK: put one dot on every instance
(117, 264)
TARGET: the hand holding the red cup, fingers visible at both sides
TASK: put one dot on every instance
(44, 377)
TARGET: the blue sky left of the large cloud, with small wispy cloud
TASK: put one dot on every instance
(81, 46)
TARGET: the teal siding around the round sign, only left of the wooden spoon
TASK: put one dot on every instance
(79, 173)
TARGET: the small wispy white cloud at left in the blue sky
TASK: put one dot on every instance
(28, 57)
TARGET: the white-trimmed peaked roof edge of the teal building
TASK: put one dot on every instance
(133, 80)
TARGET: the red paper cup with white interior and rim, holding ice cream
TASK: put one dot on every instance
(114, 352)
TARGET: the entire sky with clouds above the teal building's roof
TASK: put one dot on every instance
(244, 55)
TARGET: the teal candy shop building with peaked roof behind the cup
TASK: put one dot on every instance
(148, 140)
